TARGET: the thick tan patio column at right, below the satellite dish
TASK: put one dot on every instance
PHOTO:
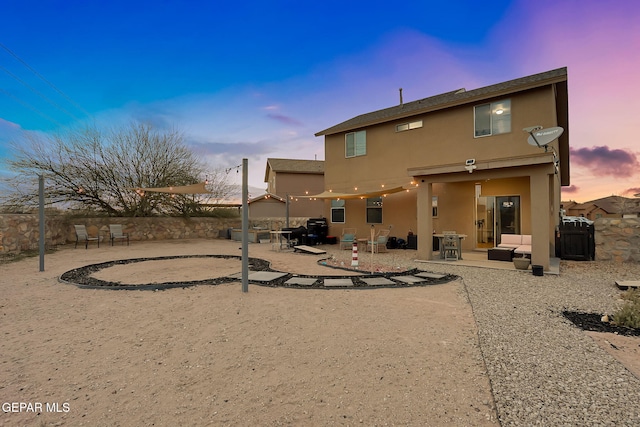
(540, 218)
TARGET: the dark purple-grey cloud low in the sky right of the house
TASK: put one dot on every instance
(603, 161)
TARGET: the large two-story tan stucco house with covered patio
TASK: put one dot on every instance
(456, 161)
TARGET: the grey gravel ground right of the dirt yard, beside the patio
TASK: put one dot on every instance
(544, 371)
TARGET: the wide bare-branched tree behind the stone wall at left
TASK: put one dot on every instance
(97, 170)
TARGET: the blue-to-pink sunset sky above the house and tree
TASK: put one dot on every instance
(257, 79)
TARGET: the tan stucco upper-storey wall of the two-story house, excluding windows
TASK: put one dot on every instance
(447, 137)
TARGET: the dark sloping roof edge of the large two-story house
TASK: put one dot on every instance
(446, 100)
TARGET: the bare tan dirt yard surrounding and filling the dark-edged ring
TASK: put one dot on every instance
(213, 355)
